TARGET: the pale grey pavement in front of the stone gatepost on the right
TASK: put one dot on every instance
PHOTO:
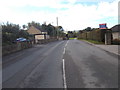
(109, 48)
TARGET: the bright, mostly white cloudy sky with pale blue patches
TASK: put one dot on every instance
(72, 14)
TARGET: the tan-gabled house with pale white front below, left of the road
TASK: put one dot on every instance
(38, 32)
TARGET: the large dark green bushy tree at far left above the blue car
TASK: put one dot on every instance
(10, 32)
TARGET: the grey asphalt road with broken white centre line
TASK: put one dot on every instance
(61, 64)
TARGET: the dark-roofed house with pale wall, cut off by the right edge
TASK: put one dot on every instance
(116, 32)
